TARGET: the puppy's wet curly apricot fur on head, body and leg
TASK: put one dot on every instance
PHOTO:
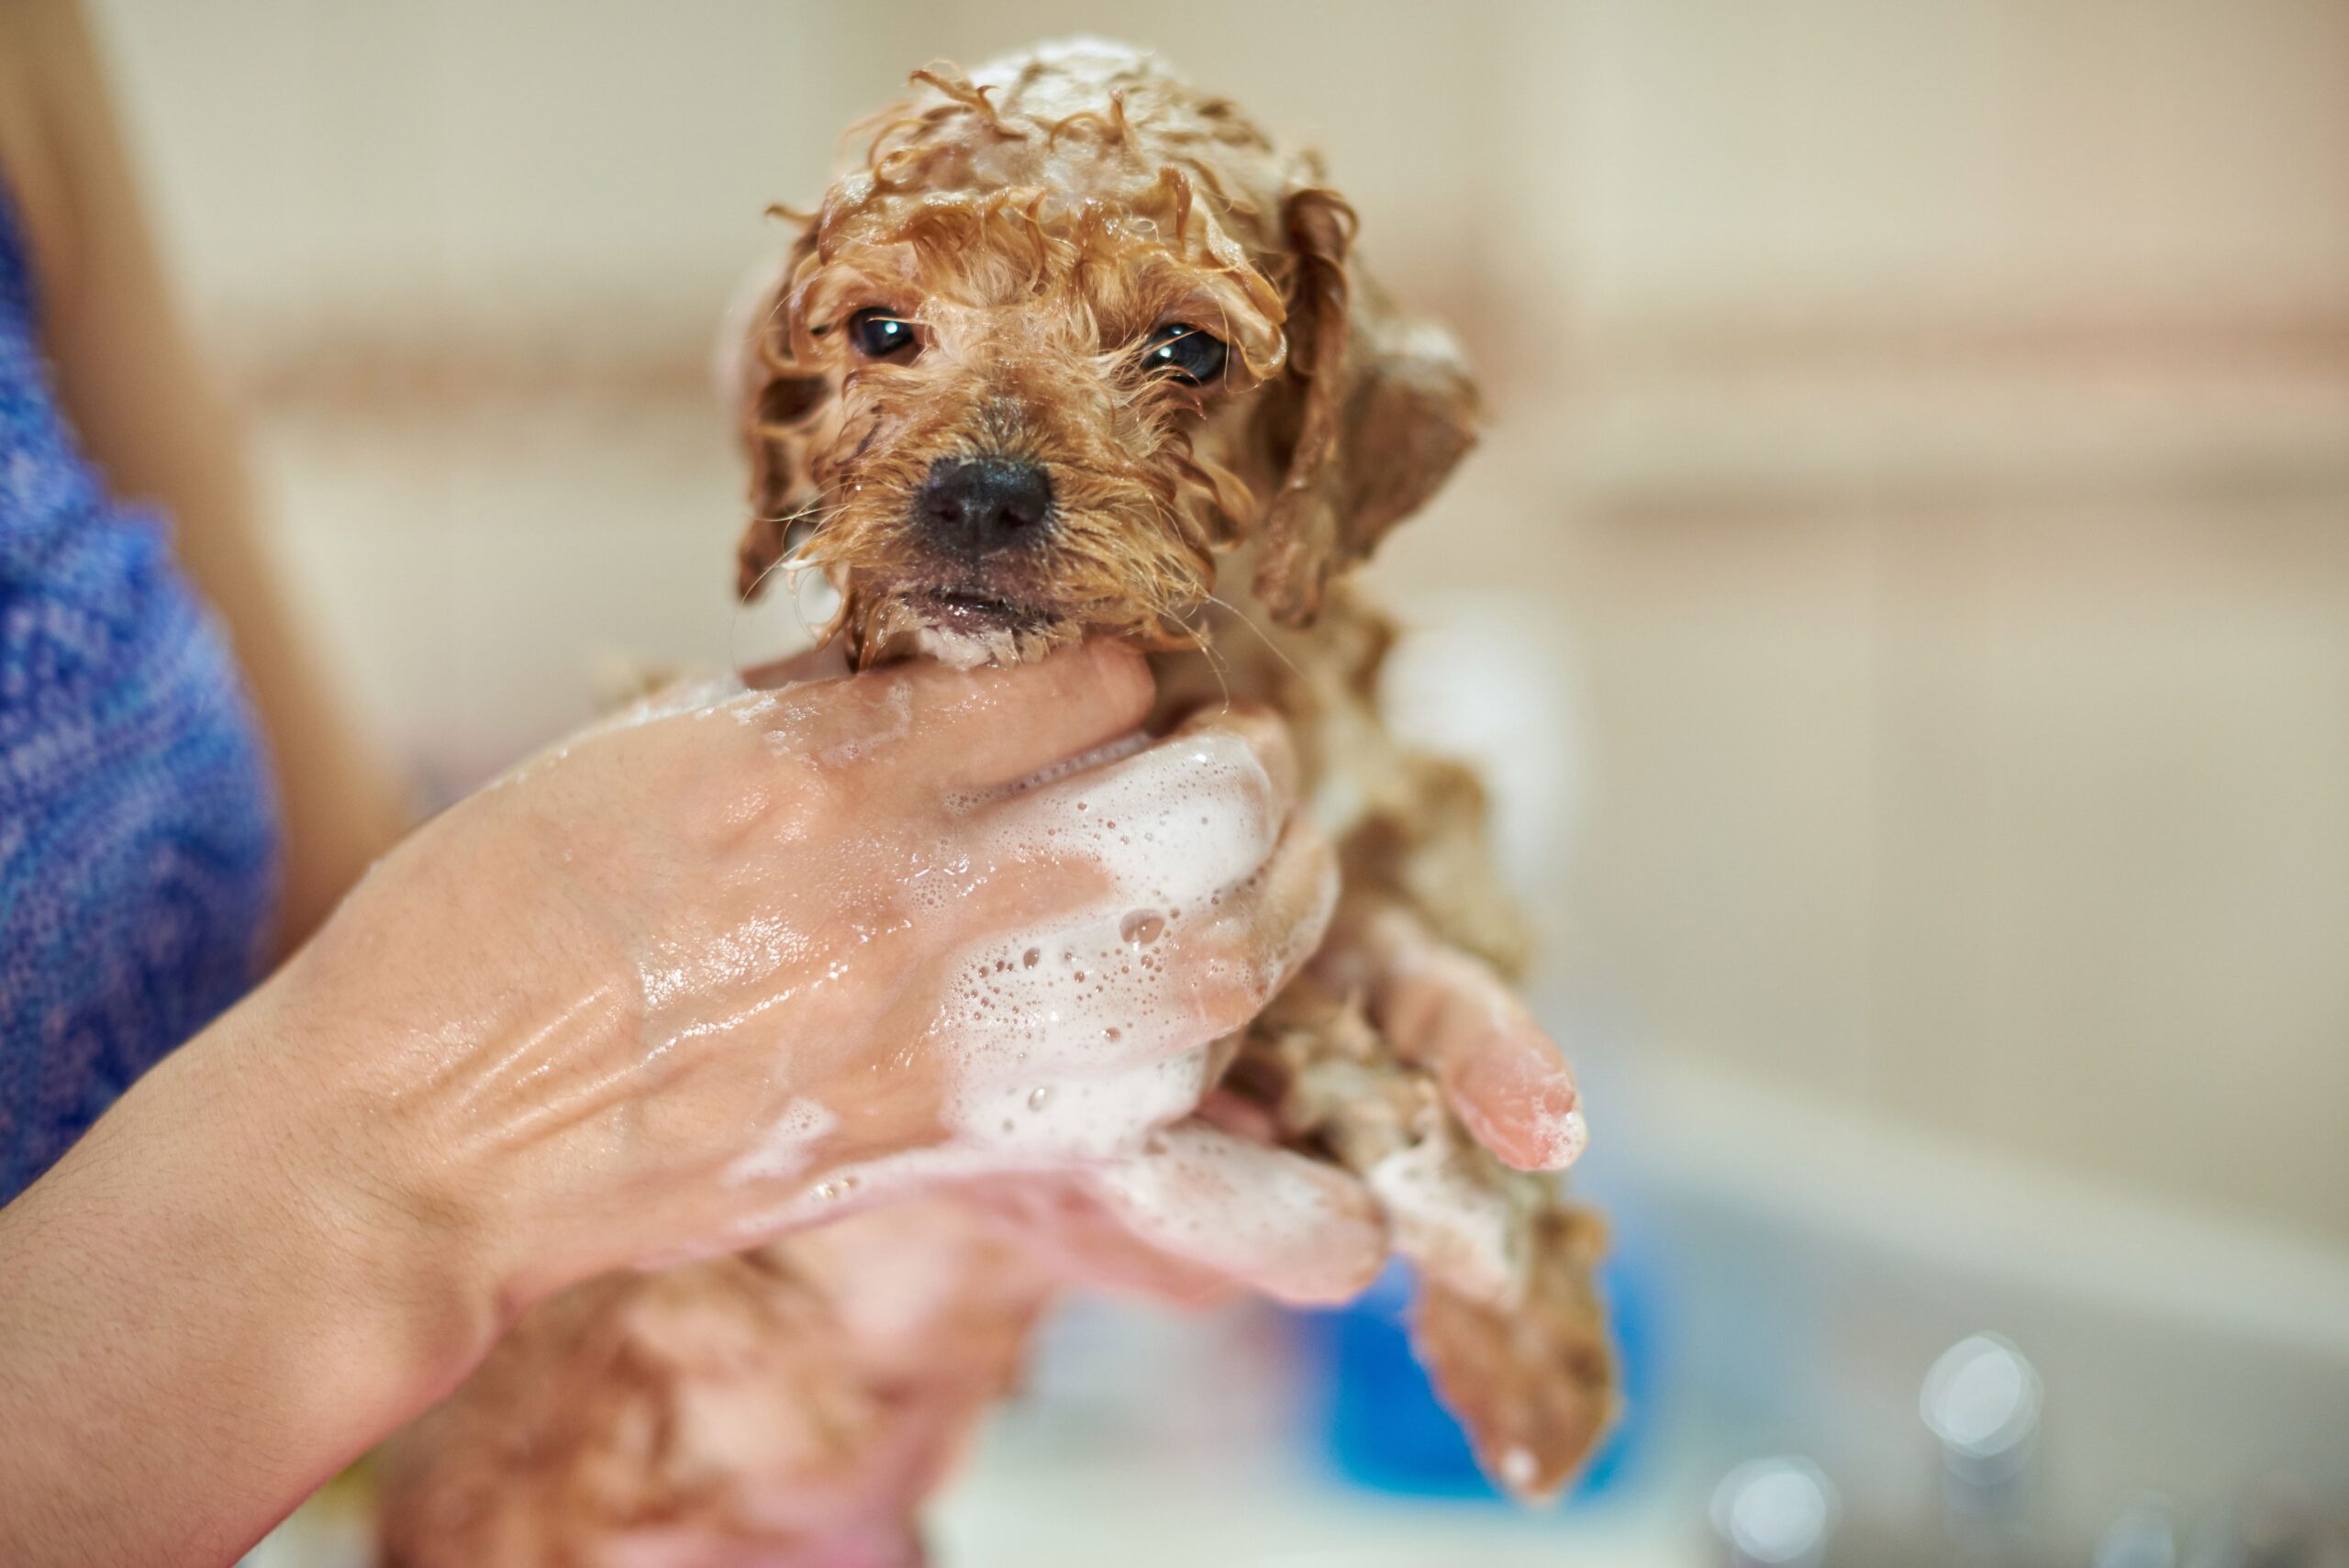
(1030, 234)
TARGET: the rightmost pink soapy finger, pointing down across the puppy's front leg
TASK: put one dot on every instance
(1500, 1069)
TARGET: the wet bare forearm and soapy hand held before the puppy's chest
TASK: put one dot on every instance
(671, 989)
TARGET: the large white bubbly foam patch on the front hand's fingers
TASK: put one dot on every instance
(1072, 1041)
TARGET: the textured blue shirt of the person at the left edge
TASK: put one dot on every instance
(137, 813)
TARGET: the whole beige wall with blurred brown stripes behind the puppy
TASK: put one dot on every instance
(1920, 499)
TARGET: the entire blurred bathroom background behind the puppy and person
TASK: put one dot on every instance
(1902, 604)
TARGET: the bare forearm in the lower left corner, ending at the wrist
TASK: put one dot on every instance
(201, 1320)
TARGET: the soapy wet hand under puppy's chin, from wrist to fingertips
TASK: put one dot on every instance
(732, 966)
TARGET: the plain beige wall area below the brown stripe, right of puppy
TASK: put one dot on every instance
(2028, 823)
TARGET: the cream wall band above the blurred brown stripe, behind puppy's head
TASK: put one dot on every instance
(1627, 158)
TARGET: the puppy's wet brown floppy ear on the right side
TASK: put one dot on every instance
(1368, 421)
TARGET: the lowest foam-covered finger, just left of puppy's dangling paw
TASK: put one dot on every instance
(1288, 1226)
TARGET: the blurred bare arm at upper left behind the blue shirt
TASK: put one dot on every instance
(142, 400)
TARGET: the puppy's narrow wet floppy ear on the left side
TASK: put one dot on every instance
(774, 403)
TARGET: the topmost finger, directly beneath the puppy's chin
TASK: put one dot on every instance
(964, 729)
